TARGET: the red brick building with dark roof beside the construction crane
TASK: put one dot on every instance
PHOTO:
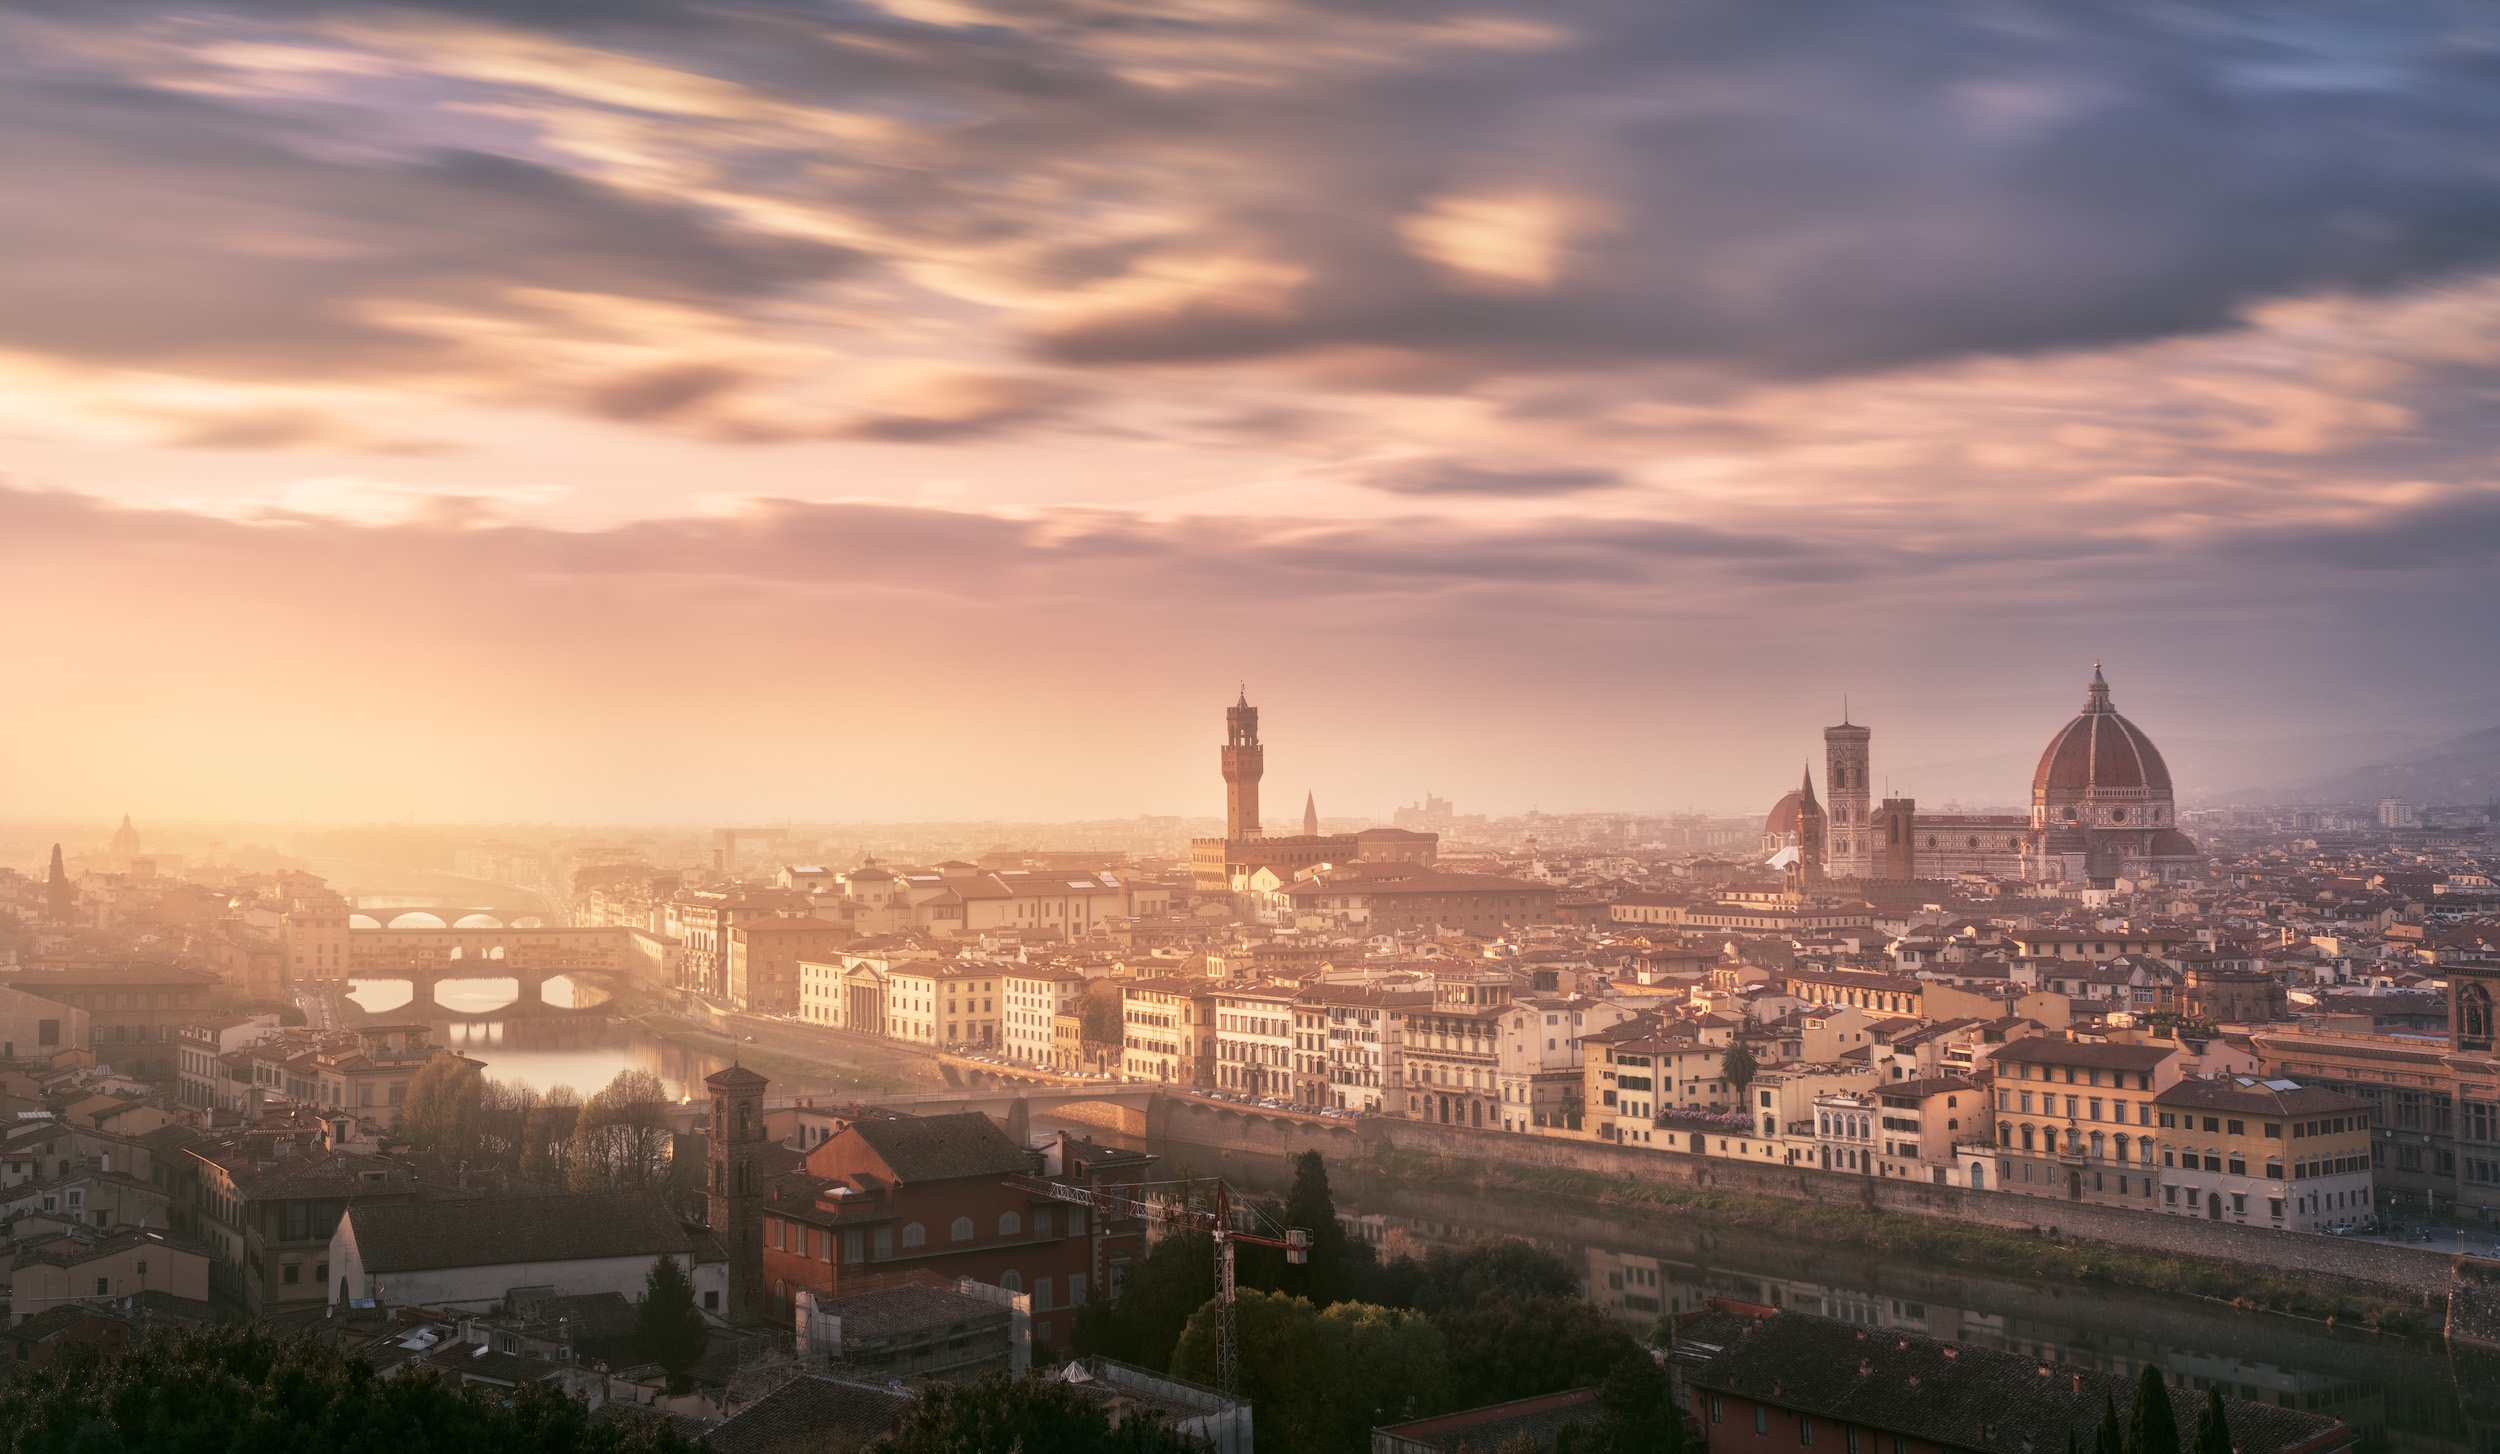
(934, 1195)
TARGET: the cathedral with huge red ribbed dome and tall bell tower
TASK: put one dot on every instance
(2101, 811)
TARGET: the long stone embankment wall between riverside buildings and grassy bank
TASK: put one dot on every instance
(2369, 1265)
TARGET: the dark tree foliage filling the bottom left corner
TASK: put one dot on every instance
(246, 1388)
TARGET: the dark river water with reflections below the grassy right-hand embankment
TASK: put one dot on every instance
(2396, 1393)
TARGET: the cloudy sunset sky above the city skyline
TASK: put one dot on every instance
(941, 408)
